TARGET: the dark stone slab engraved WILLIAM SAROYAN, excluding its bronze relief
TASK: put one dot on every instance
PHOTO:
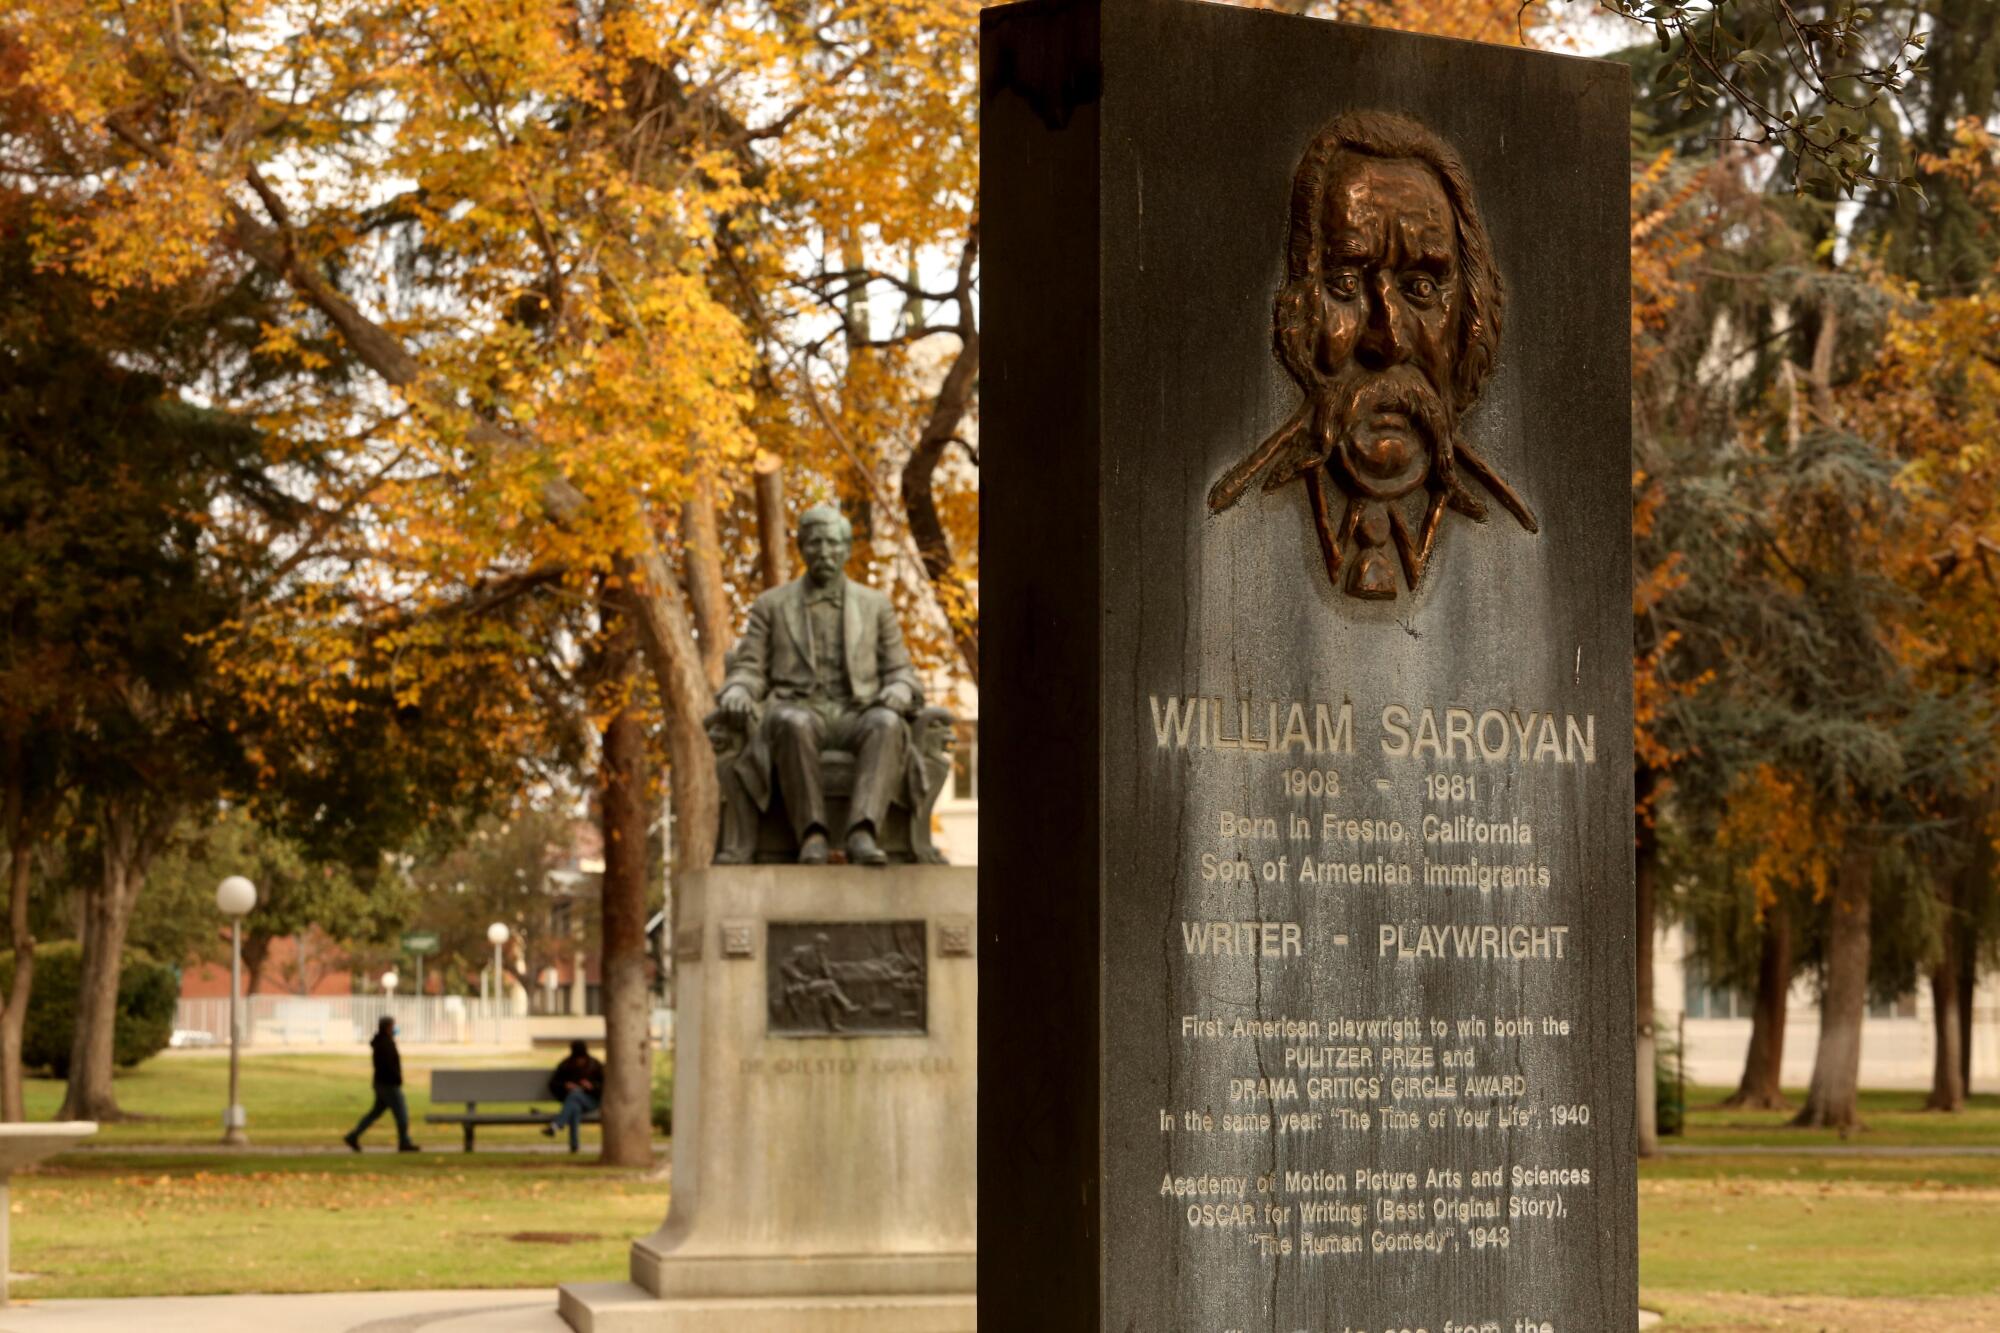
(1139, 161)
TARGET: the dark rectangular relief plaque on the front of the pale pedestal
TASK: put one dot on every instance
(847, 980)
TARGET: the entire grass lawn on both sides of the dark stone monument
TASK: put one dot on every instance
(1727, 1244)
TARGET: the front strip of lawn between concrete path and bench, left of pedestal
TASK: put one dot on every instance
(117, 1224)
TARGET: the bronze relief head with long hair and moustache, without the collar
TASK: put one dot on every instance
(1389, 317)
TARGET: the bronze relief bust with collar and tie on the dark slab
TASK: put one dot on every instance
(1389, 323)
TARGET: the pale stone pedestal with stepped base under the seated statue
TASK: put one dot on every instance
(823, 1110)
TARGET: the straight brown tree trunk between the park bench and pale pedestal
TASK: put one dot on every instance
(627, 1038)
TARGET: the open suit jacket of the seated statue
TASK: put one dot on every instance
(775, 657)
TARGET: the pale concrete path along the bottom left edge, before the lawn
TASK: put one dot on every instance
(349, 1312)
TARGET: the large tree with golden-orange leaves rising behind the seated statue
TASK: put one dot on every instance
(541, 271)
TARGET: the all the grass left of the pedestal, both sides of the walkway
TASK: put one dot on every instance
(137, 1222)
